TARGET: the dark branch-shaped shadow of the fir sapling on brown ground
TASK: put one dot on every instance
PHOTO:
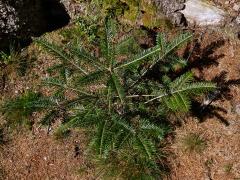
(201, 58)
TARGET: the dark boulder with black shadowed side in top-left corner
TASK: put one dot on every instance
(22, 19)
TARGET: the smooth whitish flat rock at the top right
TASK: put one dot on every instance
(201, 13)
